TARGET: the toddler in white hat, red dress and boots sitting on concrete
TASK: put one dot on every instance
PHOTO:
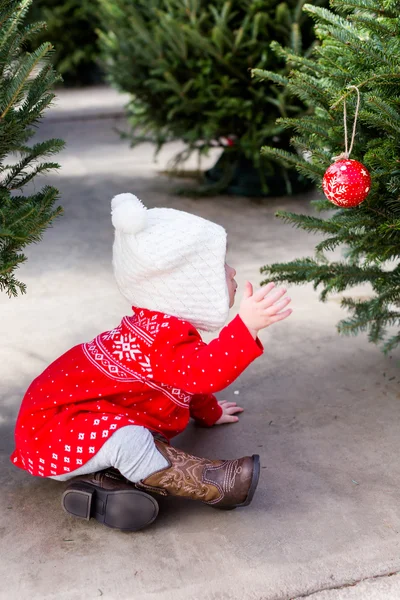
(102, 415)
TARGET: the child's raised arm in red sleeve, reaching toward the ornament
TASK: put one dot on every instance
(180, 358)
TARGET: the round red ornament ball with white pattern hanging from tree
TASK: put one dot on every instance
(346, 183)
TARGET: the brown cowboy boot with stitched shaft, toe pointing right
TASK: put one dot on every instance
(219, 483)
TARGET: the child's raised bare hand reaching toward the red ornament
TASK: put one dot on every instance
(263, 307)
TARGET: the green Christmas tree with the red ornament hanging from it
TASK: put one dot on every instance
(360, 46)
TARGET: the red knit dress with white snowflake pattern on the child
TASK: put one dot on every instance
(152, 370)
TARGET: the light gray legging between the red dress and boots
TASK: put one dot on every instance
(130, 449)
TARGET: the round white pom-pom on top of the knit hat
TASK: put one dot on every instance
(129, 214)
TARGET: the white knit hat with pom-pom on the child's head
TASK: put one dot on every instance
(170, 261)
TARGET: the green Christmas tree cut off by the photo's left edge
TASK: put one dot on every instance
(26, 79)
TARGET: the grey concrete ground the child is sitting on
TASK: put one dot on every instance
(321, 410)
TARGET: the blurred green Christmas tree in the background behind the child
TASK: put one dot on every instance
(187, 65)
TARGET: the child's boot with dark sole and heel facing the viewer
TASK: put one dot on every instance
(111, 499)
